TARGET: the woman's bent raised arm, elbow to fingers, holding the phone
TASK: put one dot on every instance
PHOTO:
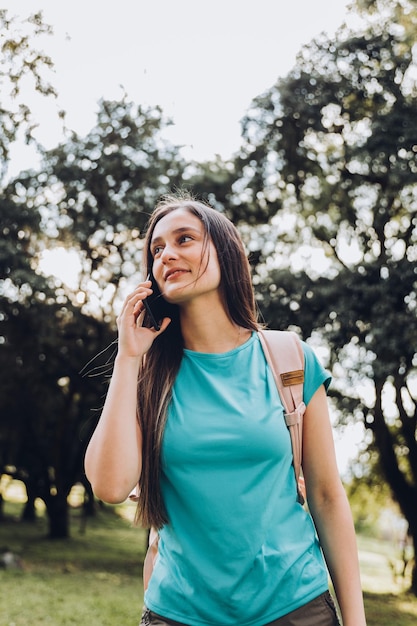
(113, 459)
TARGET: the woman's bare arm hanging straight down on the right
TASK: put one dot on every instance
(330, 509)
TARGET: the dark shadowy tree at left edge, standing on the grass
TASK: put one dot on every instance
(46, 403)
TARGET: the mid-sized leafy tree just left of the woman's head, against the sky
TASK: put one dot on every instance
(98, 191)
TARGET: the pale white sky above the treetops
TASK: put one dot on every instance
(202, 62)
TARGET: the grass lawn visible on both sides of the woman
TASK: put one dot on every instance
(95, 577)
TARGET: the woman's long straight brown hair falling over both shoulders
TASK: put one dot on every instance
(160, 367)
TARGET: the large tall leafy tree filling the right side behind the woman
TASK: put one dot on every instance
(329, 162)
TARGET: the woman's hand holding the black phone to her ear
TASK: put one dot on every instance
(134, 339)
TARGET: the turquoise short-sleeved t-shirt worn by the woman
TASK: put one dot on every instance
(238, 548)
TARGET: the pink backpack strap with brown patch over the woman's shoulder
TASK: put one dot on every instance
(285, 356)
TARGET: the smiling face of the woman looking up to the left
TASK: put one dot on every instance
(185, 265)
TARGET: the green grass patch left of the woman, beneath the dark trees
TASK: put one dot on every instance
(94, 578)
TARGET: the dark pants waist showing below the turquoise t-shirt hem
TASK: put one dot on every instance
(319, 612)
